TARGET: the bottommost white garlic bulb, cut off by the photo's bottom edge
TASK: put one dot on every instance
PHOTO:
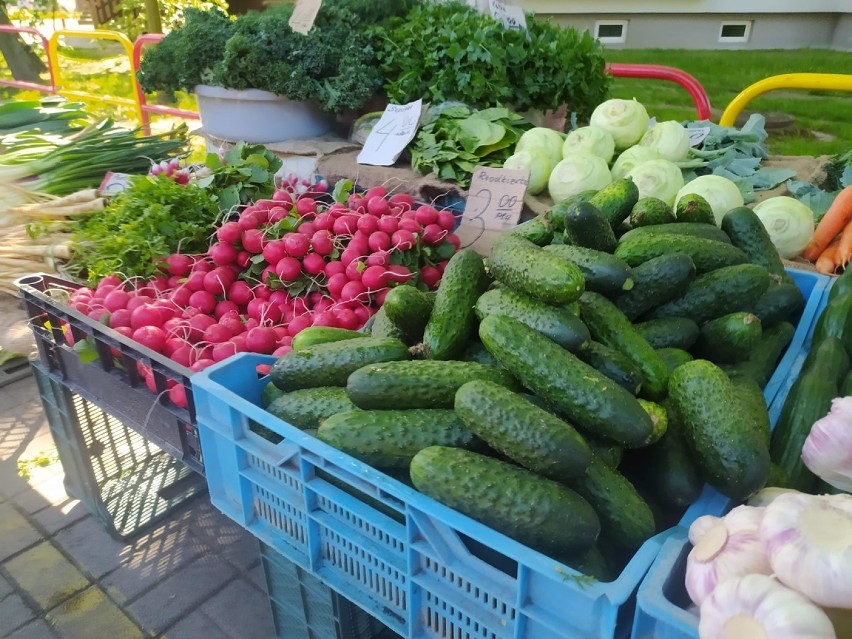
(758, 607)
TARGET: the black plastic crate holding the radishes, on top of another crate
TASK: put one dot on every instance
(110, 377)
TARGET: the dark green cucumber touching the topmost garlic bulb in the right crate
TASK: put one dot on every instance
(808, 400)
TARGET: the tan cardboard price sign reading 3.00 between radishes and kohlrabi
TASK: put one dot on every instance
(494, 204)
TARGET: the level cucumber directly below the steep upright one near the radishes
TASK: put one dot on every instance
(418, 383)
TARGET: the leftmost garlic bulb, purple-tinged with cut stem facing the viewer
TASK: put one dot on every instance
(730, 549)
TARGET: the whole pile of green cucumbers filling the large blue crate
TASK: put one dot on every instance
(575, 389)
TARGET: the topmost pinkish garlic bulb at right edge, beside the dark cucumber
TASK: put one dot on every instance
(827, 451)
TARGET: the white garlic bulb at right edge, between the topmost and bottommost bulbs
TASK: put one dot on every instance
(809, 541)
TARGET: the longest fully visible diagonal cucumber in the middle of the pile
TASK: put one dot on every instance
(576, 390)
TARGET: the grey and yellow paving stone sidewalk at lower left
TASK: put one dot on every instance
(196, 575)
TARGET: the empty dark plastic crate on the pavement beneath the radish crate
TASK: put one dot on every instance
(126, 481)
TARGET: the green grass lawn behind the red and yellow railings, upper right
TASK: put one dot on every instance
(822, 119)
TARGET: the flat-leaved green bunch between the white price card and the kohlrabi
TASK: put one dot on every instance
(455, 139)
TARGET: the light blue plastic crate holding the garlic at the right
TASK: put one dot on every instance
(662, 602)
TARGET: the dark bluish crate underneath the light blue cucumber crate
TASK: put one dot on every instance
(303, 607)
